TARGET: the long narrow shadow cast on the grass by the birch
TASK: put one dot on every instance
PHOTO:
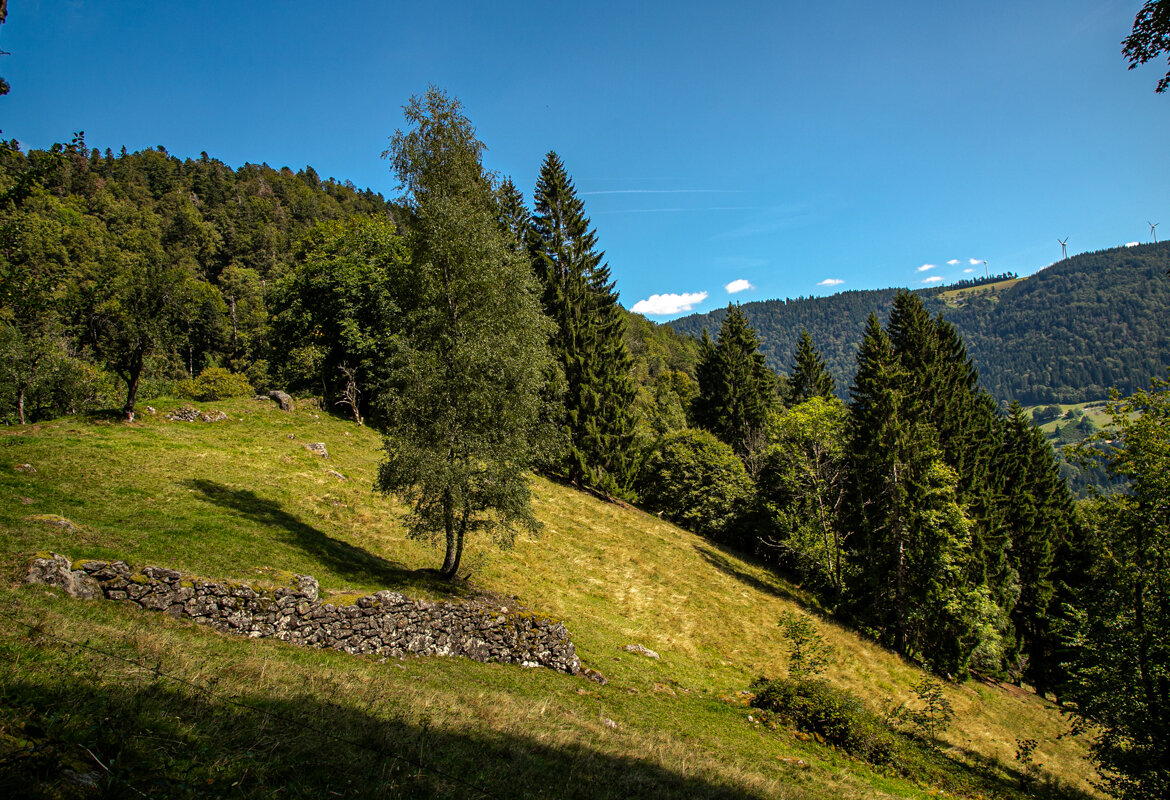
(343, 558)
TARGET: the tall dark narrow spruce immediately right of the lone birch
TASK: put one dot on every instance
(590, 339)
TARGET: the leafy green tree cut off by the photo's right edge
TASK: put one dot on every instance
(1120, 636)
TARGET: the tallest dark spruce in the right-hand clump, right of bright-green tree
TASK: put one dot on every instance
(912, 541)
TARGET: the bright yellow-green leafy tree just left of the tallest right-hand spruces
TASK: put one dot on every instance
(802, 489)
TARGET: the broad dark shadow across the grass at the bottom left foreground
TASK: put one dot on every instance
(173, 741)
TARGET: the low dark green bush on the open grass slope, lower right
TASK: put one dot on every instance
(820, 708)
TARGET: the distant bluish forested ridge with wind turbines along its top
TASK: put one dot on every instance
(1068, 334)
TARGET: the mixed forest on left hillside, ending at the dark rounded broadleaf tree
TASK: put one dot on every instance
(122, 267)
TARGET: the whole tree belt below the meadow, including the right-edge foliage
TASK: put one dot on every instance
(941, 526)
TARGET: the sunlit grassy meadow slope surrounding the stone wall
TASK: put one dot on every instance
(243, 501)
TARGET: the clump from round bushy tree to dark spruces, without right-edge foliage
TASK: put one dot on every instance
(921, 512)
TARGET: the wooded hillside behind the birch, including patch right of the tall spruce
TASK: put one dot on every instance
(146, 271)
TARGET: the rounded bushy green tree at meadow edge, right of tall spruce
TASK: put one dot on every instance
(697, 481)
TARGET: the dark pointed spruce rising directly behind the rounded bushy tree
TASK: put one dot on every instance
(737, 389)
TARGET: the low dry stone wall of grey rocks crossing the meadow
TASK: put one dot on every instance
(386, 623)
